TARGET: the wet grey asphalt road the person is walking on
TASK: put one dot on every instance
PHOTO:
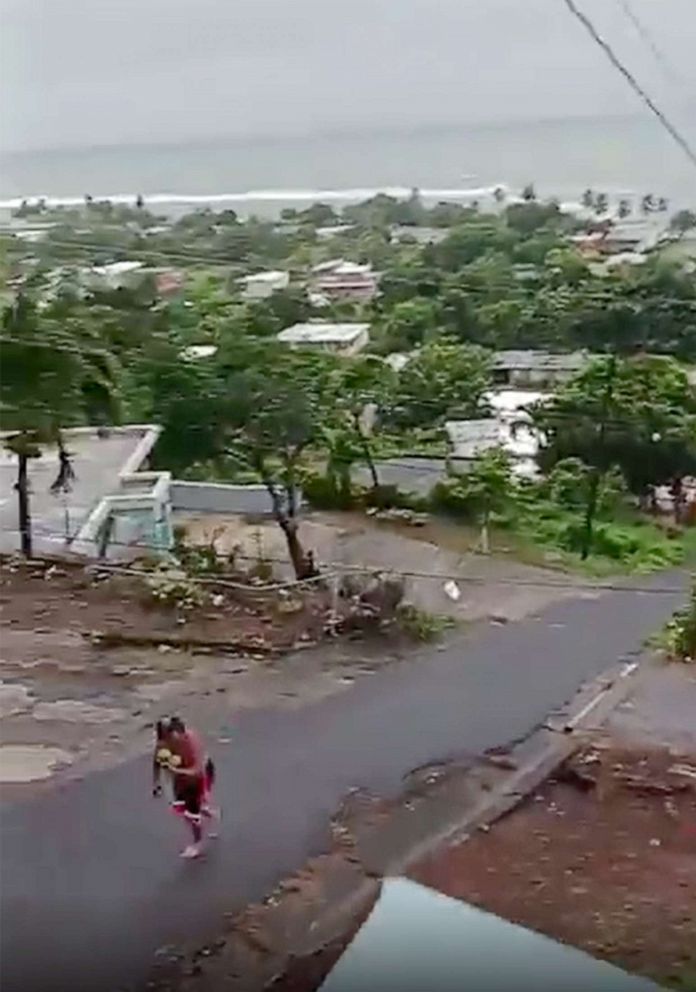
(91, 882)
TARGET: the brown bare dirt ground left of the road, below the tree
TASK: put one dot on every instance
(74, 699)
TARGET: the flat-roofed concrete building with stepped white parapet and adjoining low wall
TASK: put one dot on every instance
(115, 507)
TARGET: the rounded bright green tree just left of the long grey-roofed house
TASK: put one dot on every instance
(444, 379)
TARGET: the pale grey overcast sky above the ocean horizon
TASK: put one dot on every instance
(86, 72)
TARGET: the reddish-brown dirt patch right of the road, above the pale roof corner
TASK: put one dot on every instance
(603, 857)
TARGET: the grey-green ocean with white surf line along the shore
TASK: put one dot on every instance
(619, 155)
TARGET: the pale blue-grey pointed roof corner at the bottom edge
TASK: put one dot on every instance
(417, 939)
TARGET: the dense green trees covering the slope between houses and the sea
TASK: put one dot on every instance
(255, 411)
